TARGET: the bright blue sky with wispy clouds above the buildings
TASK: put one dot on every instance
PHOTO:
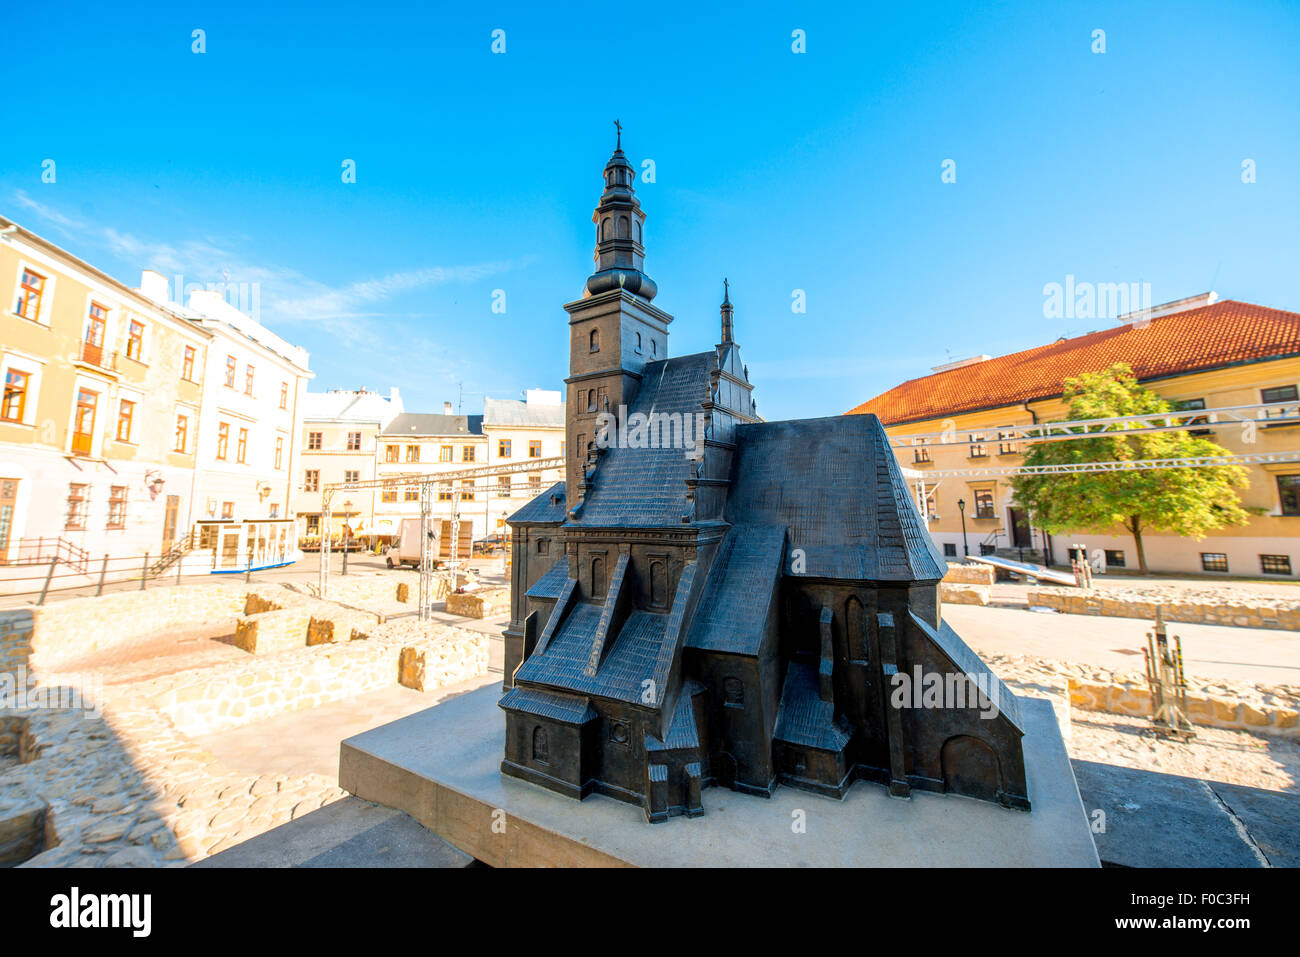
(782, 171)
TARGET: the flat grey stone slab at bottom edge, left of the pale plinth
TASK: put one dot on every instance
(345, 834)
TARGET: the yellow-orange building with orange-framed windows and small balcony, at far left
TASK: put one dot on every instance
(101, 413)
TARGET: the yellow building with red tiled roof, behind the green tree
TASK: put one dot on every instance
(1197, 354)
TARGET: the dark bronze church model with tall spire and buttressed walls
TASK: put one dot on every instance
(714, 600)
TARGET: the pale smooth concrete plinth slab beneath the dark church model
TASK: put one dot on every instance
(443, 767)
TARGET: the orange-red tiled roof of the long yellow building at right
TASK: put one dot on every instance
(1224, 334)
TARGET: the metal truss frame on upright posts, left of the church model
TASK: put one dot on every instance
(431, 530)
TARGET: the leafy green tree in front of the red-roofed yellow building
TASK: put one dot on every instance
(1184, 501)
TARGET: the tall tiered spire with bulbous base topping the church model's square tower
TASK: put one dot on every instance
(618, 218)
